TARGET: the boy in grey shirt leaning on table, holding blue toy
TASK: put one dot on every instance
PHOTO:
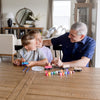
(30, 53)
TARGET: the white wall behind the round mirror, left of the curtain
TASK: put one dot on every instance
(37, 6)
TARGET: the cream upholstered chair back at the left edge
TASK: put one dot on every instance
(7, 43)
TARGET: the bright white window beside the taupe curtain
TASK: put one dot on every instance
(61, 13)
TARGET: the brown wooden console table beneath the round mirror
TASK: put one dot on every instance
(20, 31)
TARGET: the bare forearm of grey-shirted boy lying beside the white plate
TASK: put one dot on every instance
(37, 63)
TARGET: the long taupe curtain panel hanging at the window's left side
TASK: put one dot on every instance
(49, 16)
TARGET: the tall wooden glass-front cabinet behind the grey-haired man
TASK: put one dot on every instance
(83, 13)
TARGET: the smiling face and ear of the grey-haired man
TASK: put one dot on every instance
(74, 37)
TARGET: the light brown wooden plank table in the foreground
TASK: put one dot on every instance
(16, 85)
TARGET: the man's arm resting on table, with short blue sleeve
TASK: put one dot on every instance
(89, 51)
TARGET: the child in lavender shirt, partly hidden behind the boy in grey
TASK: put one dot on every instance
(44, 49)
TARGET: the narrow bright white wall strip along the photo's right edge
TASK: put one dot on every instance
(97, 54)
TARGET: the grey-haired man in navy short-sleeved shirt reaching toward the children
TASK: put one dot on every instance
(77, 47)
